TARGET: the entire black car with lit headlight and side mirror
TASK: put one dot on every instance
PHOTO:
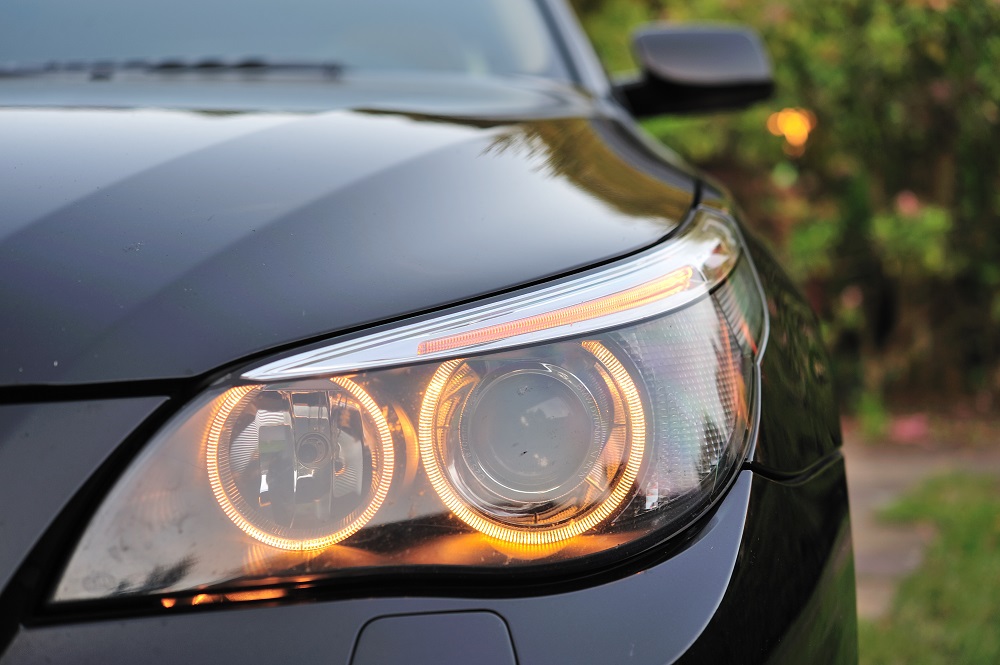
(378, 332)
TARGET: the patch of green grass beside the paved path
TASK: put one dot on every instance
(948, 611)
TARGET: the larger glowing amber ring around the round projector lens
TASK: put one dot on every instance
(538, 536)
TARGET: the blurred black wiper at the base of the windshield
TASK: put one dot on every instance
(106, 69)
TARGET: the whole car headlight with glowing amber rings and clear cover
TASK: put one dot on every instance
(595, 416)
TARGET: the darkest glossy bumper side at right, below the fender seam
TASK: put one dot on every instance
(792, 597)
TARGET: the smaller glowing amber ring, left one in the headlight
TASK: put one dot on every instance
(228, 401)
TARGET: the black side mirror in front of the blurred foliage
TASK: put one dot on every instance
(696, 68)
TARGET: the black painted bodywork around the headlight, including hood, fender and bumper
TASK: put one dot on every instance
(158, 234)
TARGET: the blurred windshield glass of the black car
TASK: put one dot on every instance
(485, 37)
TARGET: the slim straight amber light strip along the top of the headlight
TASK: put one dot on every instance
(644, 294)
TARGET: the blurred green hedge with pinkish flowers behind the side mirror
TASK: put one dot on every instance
(889, 217)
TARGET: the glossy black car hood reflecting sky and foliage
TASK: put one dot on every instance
(155, 244)
